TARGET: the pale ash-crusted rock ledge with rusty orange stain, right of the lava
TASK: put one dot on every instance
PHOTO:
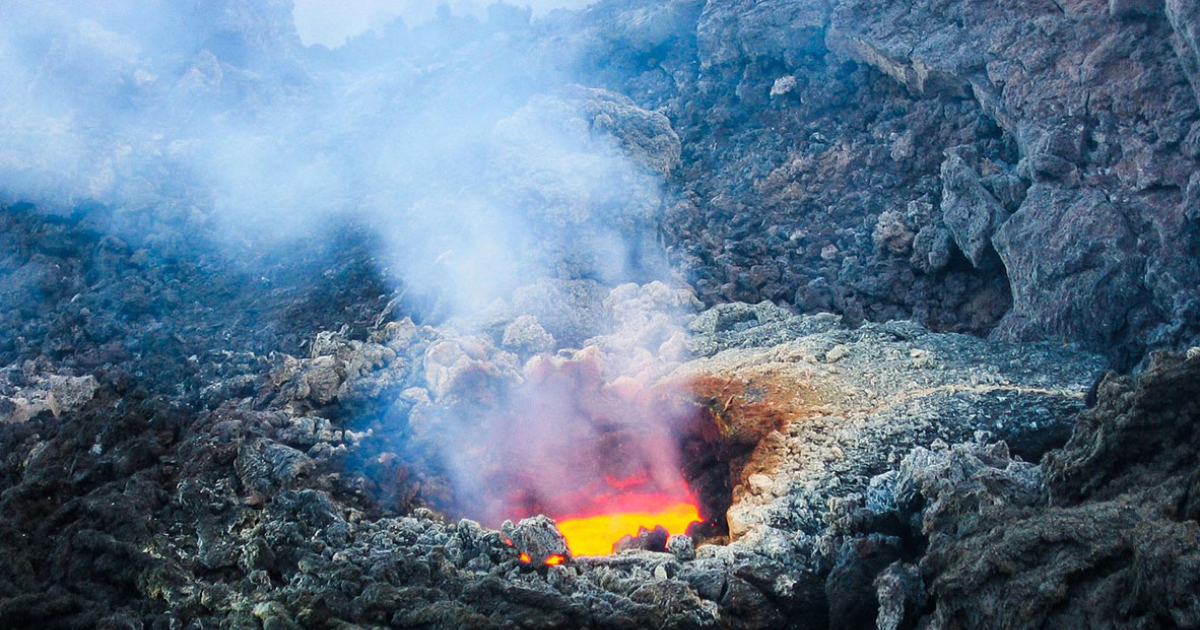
(838, 406)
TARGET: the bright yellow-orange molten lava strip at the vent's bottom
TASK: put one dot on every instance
(596, 536)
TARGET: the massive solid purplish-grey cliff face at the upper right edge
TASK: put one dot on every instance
(1078, 127)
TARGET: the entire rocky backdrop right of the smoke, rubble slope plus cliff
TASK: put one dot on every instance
(1058, 119)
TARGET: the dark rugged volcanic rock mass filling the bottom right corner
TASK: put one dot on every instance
(1102, 533)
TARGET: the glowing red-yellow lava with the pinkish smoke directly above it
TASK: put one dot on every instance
(599, 455)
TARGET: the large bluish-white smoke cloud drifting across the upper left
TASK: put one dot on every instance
(455, 140)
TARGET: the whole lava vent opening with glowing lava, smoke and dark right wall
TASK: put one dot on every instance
(615, 463)
